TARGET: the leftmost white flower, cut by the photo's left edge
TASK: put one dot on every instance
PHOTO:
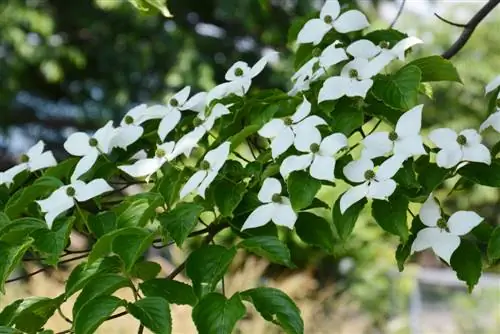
(34, 159)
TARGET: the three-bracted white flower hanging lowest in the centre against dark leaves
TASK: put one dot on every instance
(276, 208)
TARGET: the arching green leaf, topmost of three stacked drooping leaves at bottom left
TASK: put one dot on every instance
(82, 273)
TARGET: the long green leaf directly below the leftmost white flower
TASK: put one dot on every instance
(20, 200)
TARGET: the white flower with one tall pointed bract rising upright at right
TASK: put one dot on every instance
(405, 141)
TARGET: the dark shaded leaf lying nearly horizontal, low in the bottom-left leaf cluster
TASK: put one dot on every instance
(174, 292)
